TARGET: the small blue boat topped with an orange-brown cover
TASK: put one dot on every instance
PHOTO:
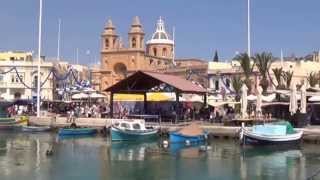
(190, 134)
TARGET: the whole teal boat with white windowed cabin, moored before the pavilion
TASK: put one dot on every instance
(132, 130)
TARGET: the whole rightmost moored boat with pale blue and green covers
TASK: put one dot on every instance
(274, 133)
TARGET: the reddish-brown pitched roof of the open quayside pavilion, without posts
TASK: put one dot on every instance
(144, 80)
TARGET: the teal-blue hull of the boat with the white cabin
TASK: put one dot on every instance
(122, 135)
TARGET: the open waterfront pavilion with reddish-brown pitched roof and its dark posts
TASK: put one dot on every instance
(142, 82)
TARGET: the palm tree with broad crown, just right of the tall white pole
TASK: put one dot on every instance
(263, 62)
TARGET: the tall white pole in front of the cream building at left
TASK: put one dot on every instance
(39, 59)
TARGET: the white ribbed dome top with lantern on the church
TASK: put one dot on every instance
(160, 36)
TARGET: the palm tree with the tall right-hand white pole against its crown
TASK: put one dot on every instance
(247, 68)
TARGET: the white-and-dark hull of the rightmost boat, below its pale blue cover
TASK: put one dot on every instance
(256, 139)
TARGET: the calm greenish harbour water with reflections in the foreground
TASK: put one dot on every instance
(23, 156)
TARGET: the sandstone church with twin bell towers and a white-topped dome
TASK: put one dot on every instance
(157, 54)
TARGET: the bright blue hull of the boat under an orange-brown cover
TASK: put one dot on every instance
(175, 137)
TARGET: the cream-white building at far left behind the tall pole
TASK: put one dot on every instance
(11, 86)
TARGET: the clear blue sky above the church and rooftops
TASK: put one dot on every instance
(201, 26)
